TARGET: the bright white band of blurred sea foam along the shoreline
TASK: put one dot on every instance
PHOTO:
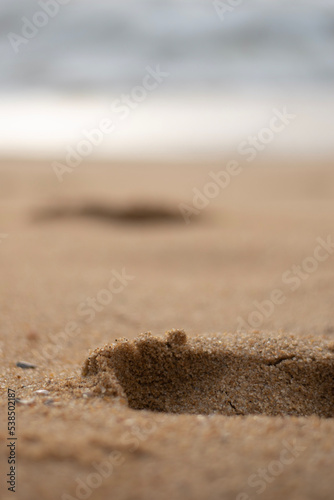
(180, 126)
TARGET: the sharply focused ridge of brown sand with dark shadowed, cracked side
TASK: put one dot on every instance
(225, 374)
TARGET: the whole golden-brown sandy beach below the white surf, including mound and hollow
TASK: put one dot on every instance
(80, 268)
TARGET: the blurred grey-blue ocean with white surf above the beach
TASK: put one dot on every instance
(226, 73)
